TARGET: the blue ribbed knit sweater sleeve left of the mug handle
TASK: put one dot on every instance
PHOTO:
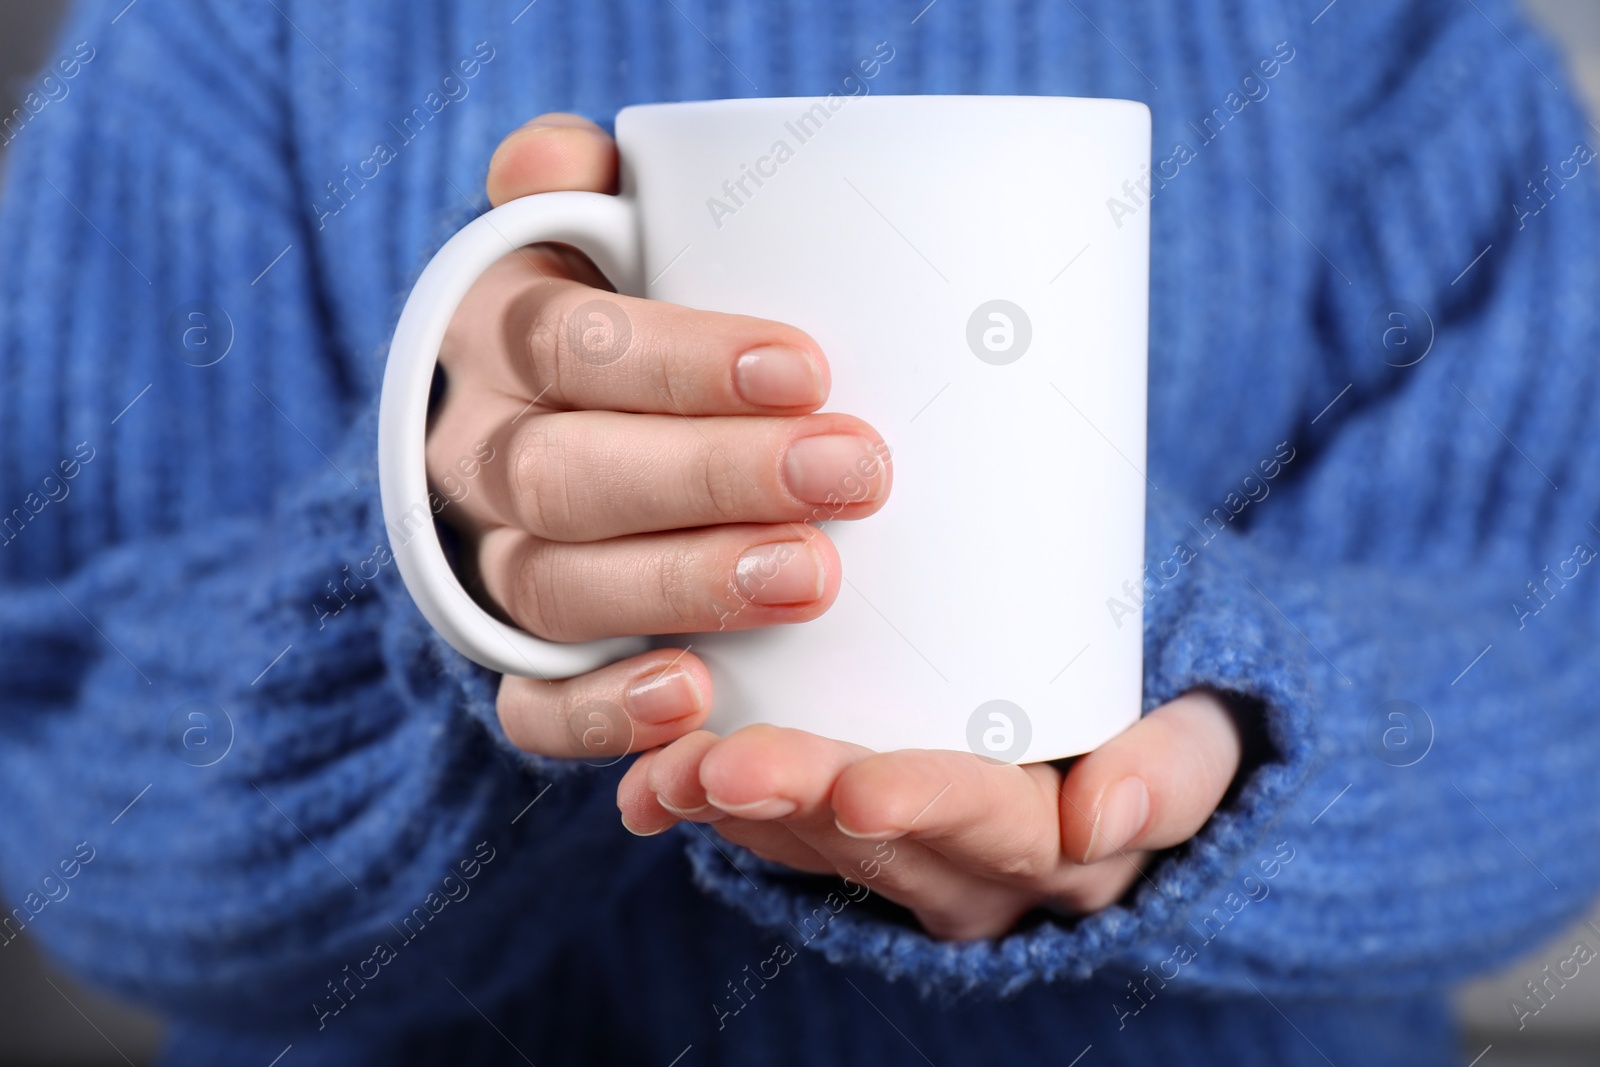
(234, 757)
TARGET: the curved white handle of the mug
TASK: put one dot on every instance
(604, 228)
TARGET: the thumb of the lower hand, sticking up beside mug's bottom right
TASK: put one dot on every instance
(1154, 785)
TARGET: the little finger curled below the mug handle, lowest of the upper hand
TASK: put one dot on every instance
(628, 706)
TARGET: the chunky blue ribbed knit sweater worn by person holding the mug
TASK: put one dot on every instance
(246, 785)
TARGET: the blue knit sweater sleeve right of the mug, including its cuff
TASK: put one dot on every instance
(1410, 604)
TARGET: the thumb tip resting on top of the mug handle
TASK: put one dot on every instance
(551, 153)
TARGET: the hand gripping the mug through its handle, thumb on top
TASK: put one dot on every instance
(620, 466)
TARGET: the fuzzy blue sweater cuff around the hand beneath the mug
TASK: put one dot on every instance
(1209, 626)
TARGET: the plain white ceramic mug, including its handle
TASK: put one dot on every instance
(977, 273)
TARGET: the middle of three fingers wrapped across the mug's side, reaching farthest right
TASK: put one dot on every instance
(590, 476)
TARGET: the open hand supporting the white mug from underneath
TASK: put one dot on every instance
(966, 844)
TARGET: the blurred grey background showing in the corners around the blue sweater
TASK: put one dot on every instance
(47, 1018)
